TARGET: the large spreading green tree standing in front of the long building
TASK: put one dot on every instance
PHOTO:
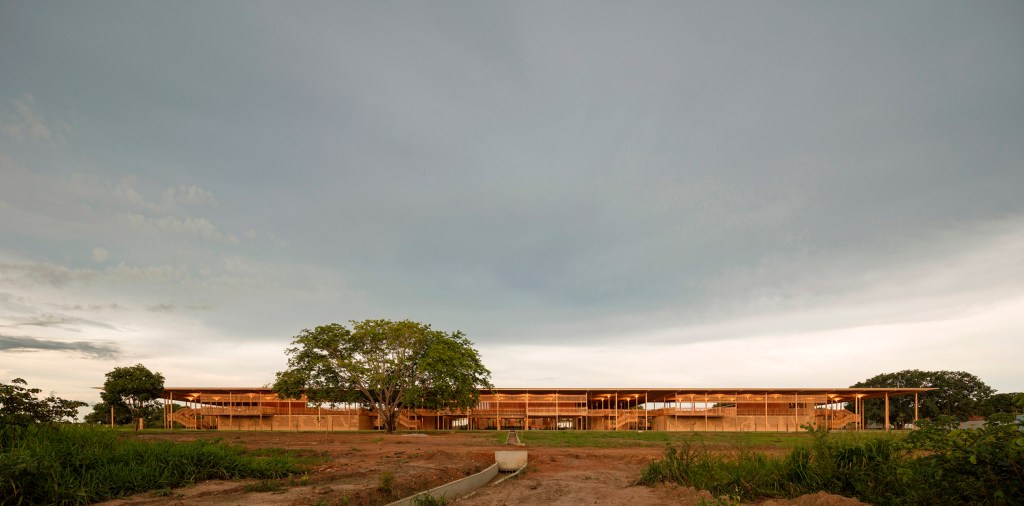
(386, 366)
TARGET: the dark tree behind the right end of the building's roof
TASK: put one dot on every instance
(958, 394)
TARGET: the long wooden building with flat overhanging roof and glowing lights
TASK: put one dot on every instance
(551, 409)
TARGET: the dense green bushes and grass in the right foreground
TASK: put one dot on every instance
(938, 465)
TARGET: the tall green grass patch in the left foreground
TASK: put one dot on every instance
(74, 465)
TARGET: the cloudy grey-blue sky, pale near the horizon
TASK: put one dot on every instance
(599, 194)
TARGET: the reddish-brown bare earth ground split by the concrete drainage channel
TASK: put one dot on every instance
(554, 476)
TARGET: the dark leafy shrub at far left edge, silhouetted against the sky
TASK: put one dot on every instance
(21, 406)
